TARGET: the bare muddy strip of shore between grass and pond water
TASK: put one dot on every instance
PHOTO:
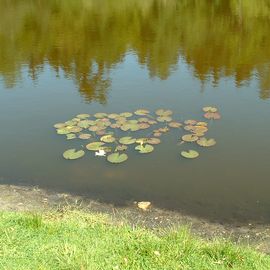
(22, 198)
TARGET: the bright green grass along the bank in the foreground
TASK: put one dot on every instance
(78, 240)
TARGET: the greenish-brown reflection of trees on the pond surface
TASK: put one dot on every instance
(224, 38)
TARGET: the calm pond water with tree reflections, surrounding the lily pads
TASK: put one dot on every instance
(62, 58)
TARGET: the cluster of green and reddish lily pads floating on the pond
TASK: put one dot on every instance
(102, 132)
